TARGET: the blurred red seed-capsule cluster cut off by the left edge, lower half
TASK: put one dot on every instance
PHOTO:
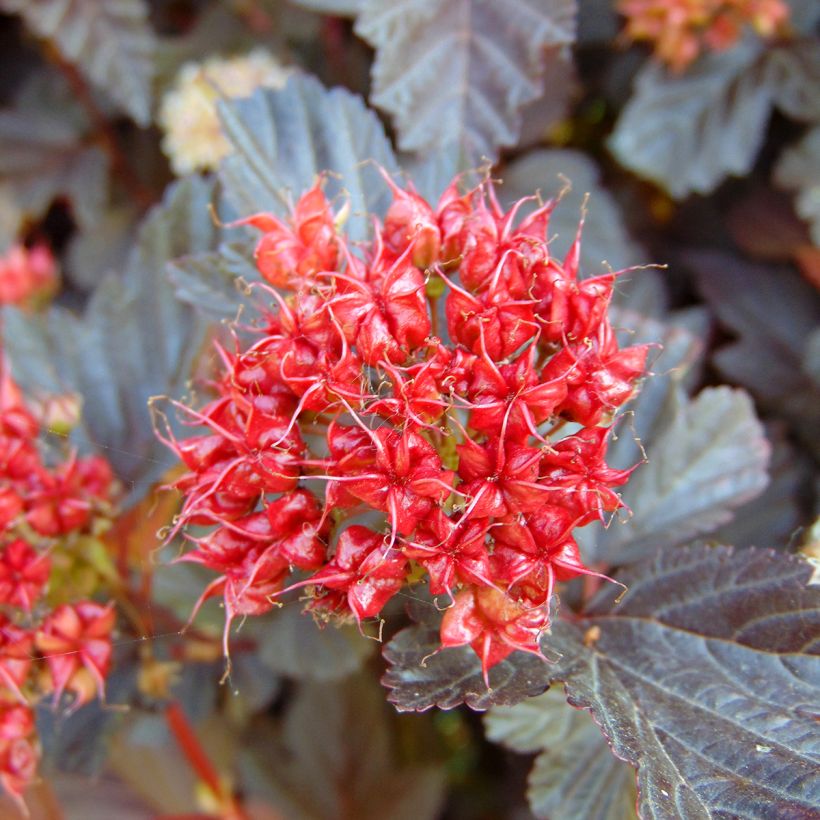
(48, 645)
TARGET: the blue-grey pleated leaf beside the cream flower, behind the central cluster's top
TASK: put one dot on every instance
(282, 140)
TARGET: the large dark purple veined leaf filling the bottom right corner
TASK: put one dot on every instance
(705, 677)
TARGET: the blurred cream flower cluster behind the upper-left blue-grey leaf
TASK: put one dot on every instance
(193, 137)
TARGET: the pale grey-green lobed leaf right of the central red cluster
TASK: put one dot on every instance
(706, 456)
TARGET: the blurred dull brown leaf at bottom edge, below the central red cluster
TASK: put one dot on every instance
(332, 758)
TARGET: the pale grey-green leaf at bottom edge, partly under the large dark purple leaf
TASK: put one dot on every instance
(576, 774)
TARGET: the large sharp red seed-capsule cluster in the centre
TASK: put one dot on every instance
(452, 379)
